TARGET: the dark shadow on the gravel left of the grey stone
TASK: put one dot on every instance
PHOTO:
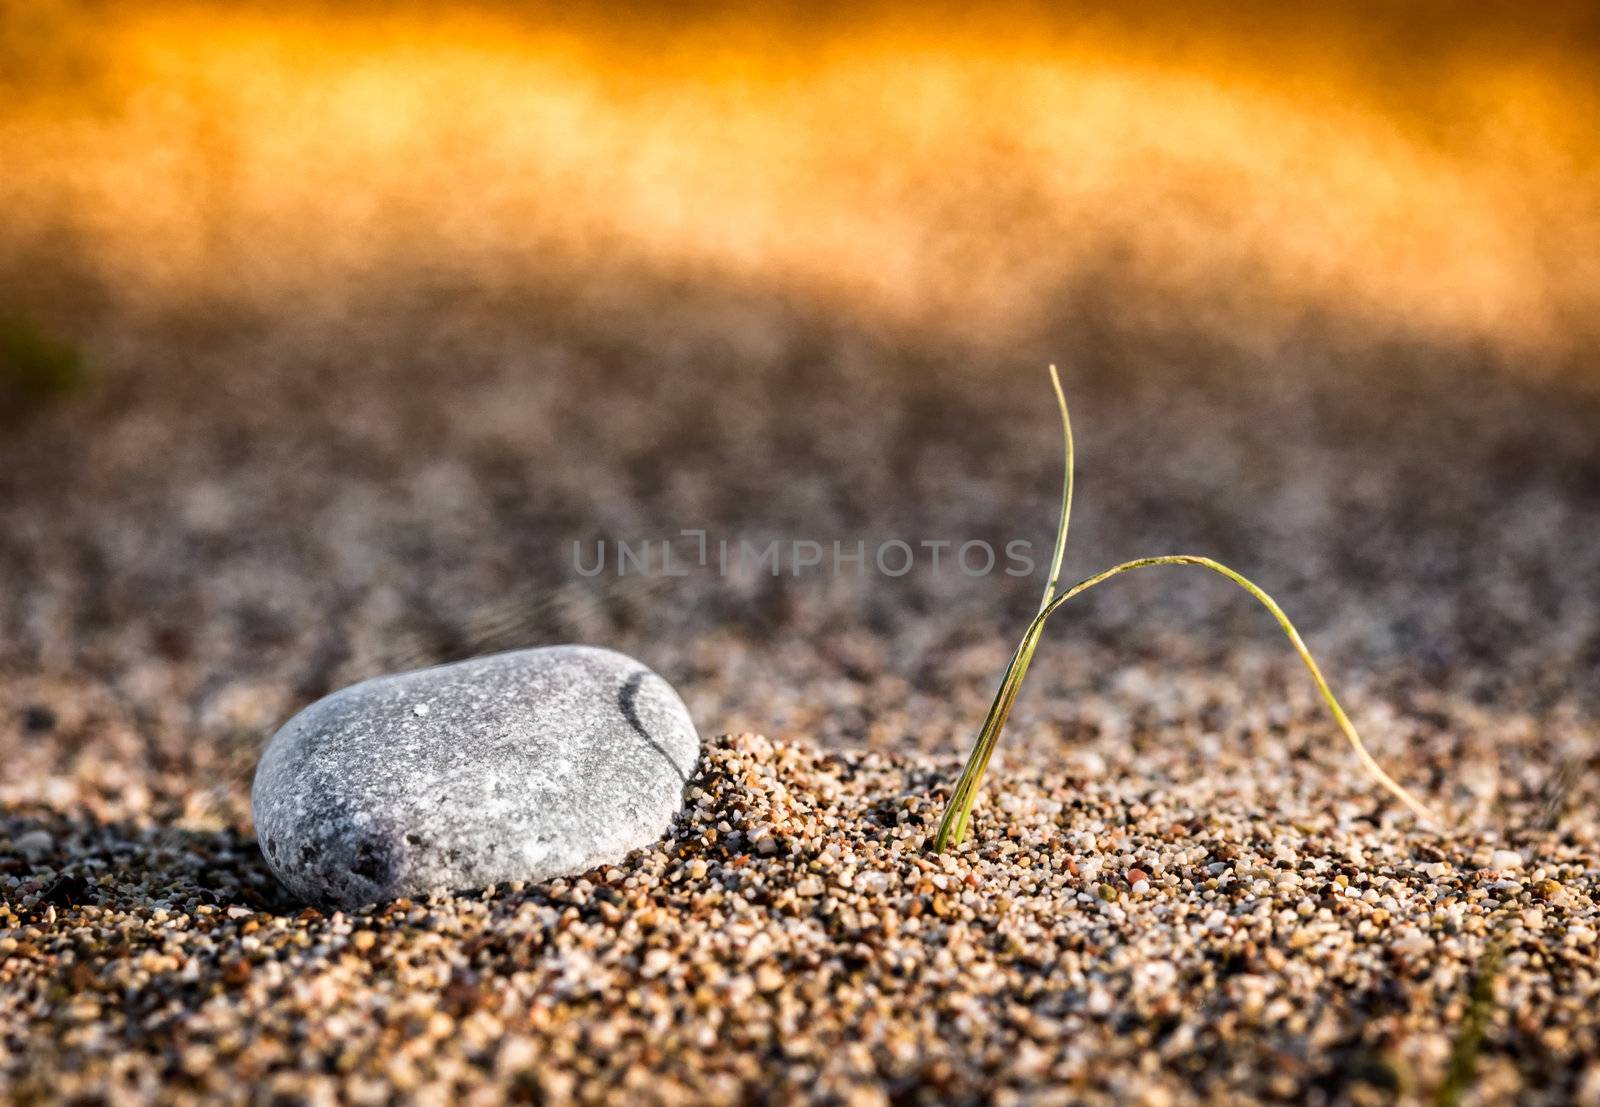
(70, 861)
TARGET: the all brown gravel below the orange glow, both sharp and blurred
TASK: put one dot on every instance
(1180, 887)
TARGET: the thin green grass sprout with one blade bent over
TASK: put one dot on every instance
(958, 817)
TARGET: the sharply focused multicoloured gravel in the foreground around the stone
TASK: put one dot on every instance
(1100, 941)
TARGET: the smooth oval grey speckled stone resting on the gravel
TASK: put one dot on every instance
(516, 767)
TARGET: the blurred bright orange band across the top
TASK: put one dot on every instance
(958, 178)
